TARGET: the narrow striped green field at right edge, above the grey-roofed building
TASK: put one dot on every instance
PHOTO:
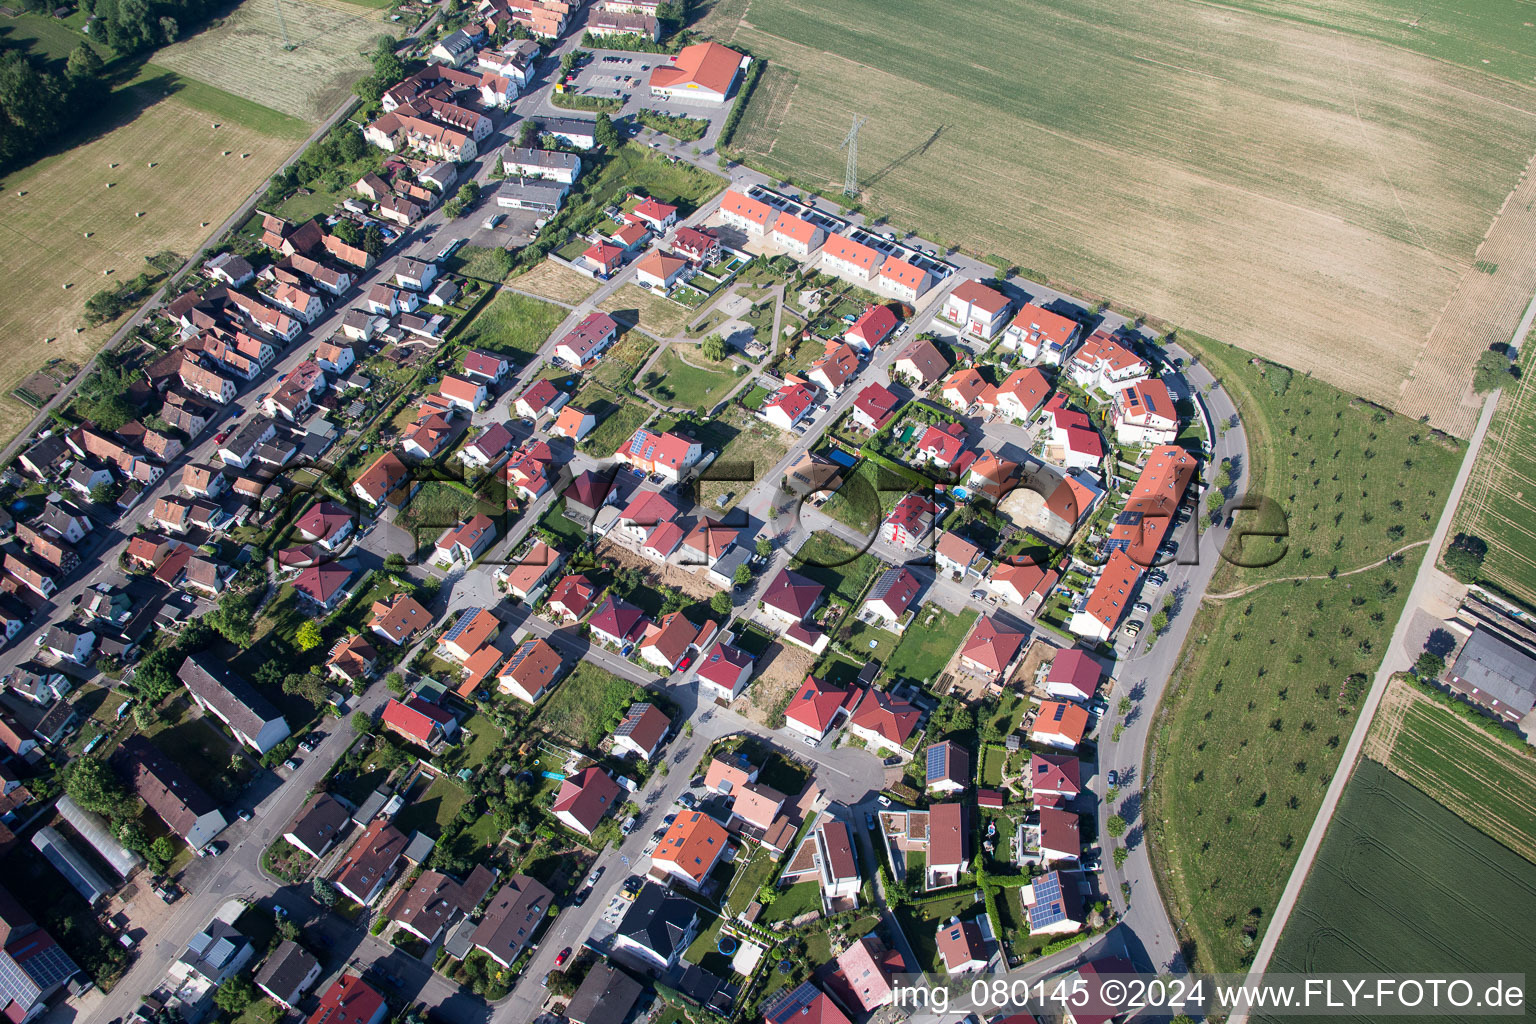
(1500, 503)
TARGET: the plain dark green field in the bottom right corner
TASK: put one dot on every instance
(1402, 885)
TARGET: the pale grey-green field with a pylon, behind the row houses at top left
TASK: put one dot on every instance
(245, 55)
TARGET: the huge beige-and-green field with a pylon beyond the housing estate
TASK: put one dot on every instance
(1357, 180)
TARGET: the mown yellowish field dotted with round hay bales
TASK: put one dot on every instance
(71, 219)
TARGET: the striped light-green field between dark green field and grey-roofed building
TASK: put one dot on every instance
(1481, 779)
